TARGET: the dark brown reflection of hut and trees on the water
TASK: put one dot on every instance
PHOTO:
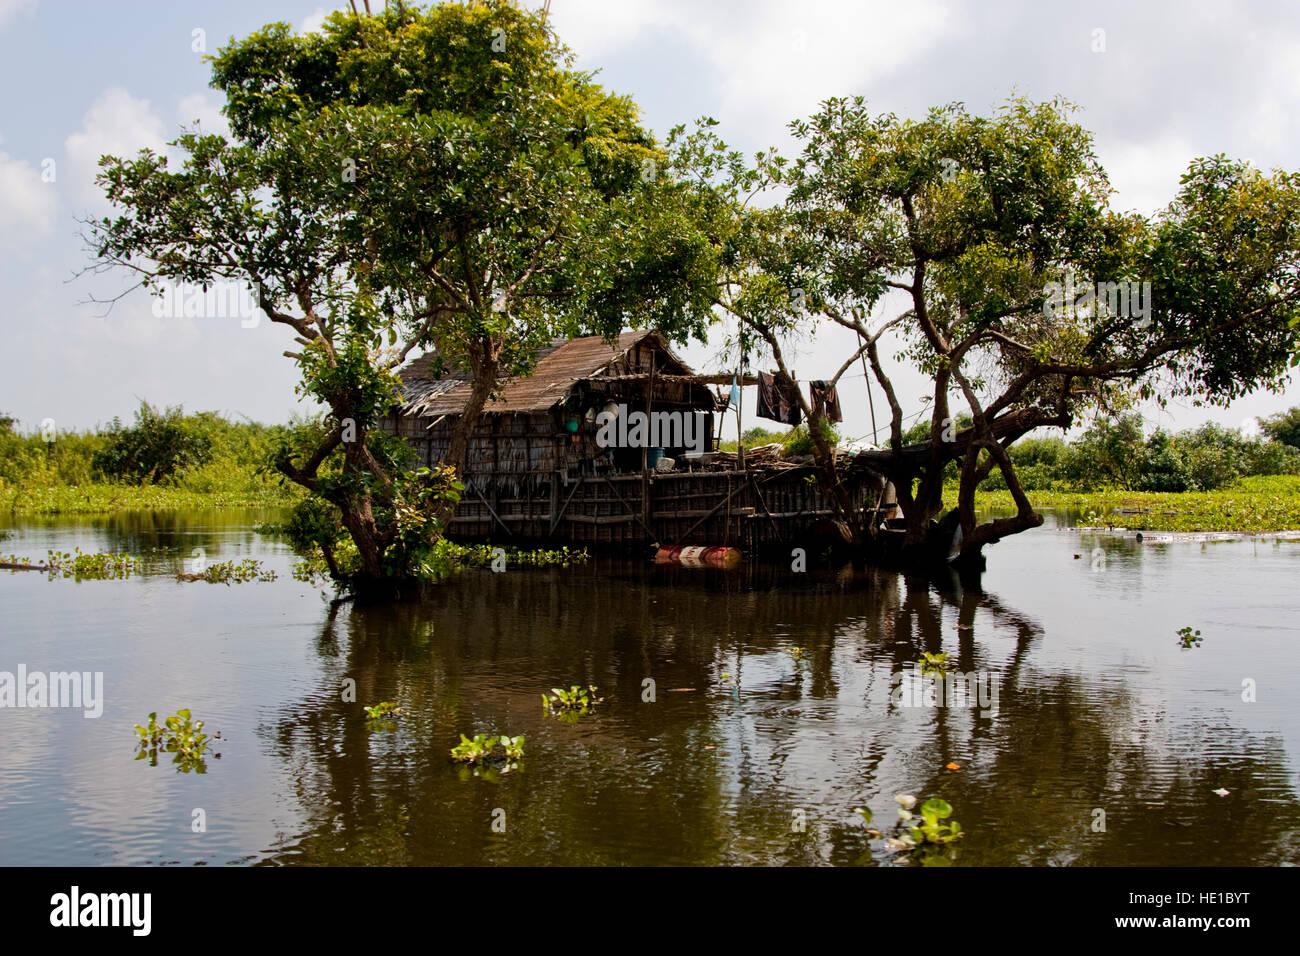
(726, 771)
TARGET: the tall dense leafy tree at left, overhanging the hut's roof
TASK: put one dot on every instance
(421, 179)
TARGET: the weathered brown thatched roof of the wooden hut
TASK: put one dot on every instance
(557, 370)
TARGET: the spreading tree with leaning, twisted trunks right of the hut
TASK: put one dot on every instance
(993, 231)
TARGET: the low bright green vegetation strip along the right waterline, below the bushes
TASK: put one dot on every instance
(1251, 505)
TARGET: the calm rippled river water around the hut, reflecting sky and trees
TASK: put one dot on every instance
(1108, 745)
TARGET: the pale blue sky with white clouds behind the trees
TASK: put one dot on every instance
(1158, 83)
